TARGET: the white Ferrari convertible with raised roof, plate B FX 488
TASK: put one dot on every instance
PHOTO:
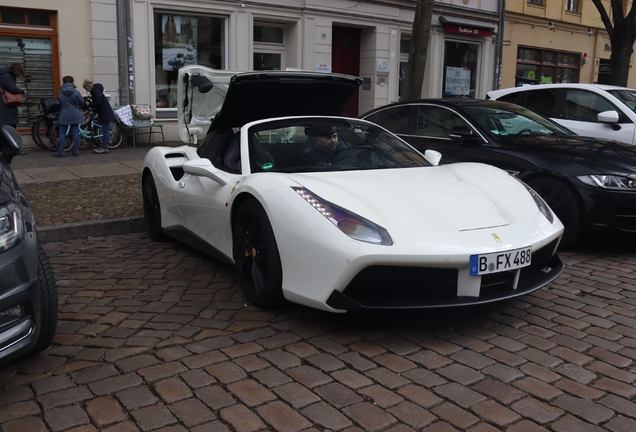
(337, 213)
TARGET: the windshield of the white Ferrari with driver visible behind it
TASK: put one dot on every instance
(315, 144)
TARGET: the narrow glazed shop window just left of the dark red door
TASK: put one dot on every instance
(269, 46)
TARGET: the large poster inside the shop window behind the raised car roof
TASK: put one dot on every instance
(179, 37)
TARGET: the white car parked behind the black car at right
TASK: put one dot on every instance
(597, 110)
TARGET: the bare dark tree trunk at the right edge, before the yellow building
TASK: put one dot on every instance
(621, 29)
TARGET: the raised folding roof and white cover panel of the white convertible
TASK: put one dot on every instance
(237, 98)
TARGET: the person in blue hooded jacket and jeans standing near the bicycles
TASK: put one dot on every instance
(70, 115)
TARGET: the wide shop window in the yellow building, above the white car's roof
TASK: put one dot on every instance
(537, 66)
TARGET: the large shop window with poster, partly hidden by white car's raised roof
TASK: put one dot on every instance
(182, 40)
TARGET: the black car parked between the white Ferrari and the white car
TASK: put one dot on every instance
(589, 183)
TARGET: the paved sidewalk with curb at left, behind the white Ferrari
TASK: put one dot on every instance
(89, 195)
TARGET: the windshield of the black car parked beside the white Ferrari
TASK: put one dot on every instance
(508, 121)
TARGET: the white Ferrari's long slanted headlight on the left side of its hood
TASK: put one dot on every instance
(356, 227)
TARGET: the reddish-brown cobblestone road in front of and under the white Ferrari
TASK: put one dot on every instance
(157, 337)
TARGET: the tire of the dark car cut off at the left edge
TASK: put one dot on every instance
(48, 303)
